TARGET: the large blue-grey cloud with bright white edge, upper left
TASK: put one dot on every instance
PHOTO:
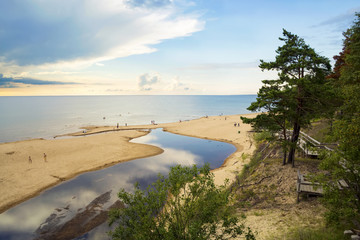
(61, 35)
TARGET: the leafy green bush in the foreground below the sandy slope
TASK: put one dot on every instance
(186, 205)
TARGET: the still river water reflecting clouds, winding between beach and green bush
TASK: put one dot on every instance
(80, 204)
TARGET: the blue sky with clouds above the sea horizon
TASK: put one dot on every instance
(149, 47)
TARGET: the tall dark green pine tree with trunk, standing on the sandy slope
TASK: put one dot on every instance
(300, 93)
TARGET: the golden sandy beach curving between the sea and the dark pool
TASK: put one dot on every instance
(21, 179)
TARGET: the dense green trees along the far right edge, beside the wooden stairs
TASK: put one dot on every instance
(344, 164)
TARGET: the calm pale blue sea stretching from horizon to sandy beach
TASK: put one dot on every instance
(44, 117)
